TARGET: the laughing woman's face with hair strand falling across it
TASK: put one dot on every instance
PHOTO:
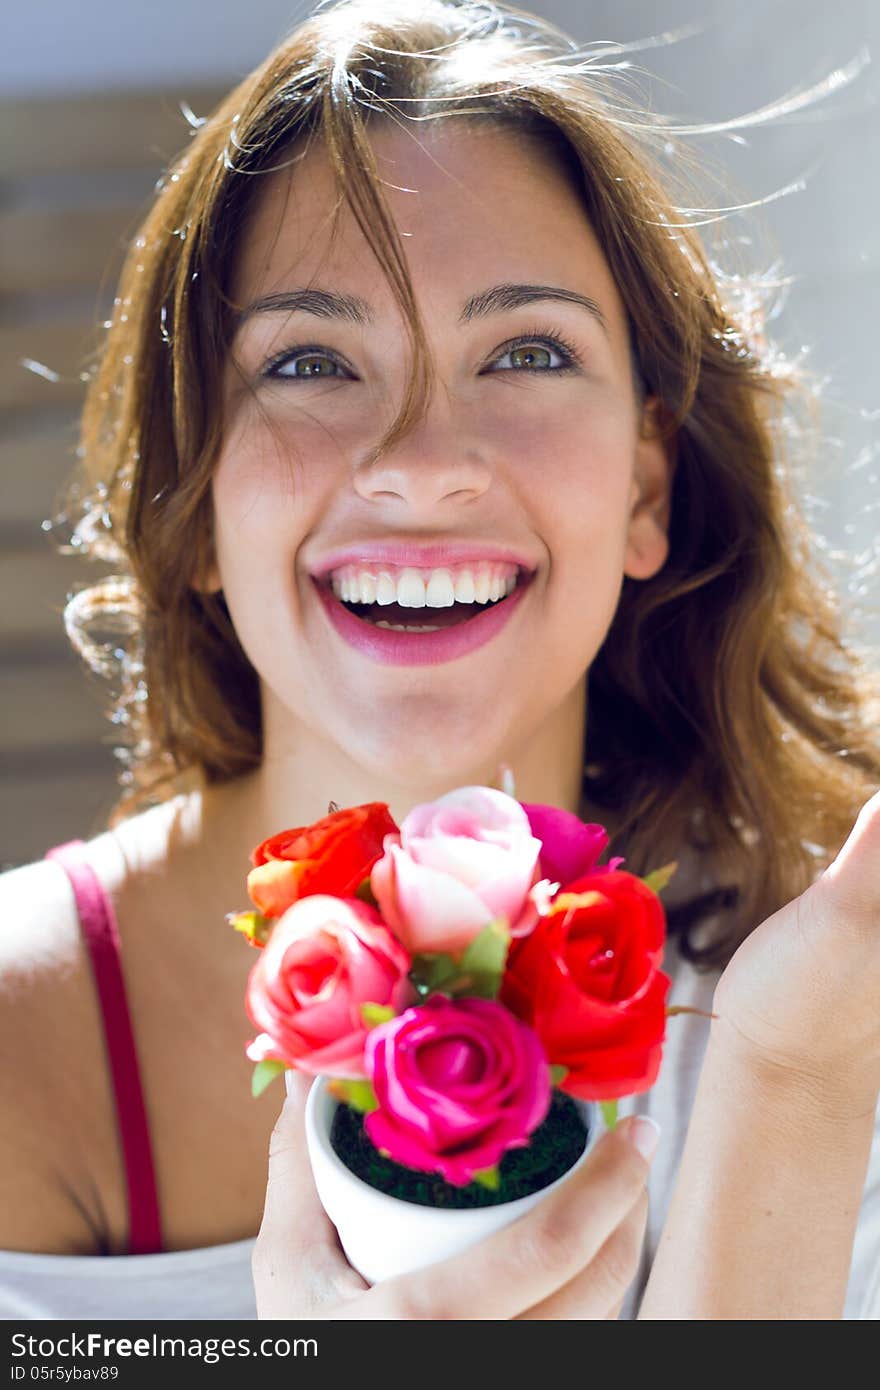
(529, 448)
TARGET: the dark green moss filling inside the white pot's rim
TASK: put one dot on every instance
(554, 1147)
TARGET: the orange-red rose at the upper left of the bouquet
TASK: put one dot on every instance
(334, 856)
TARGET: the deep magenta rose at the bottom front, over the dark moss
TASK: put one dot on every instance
(459, 1082)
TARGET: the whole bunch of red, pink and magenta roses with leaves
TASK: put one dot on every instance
(451, 975)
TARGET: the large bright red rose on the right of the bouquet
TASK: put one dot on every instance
(589, 982)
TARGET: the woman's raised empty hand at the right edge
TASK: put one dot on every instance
(801, 996)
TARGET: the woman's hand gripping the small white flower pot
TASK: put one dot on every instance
(571, 1257)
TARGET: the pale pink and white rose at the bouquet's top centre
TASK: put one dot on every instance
(457, 864)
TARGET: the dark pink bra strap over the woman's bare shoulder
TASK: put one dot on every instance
(102, 936)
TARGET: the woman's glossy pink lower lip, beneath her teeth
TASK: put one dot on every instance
(419, 648)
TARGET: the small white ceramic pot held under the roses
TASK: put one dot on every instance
(384, 1236)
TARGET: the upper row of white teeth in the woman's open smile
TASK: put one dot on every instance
(425, 589)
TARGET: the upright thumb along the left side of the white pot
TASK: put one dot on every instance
(297, 1261)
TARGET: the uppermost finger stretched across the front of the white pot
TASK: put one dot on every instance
(529, 1261)
